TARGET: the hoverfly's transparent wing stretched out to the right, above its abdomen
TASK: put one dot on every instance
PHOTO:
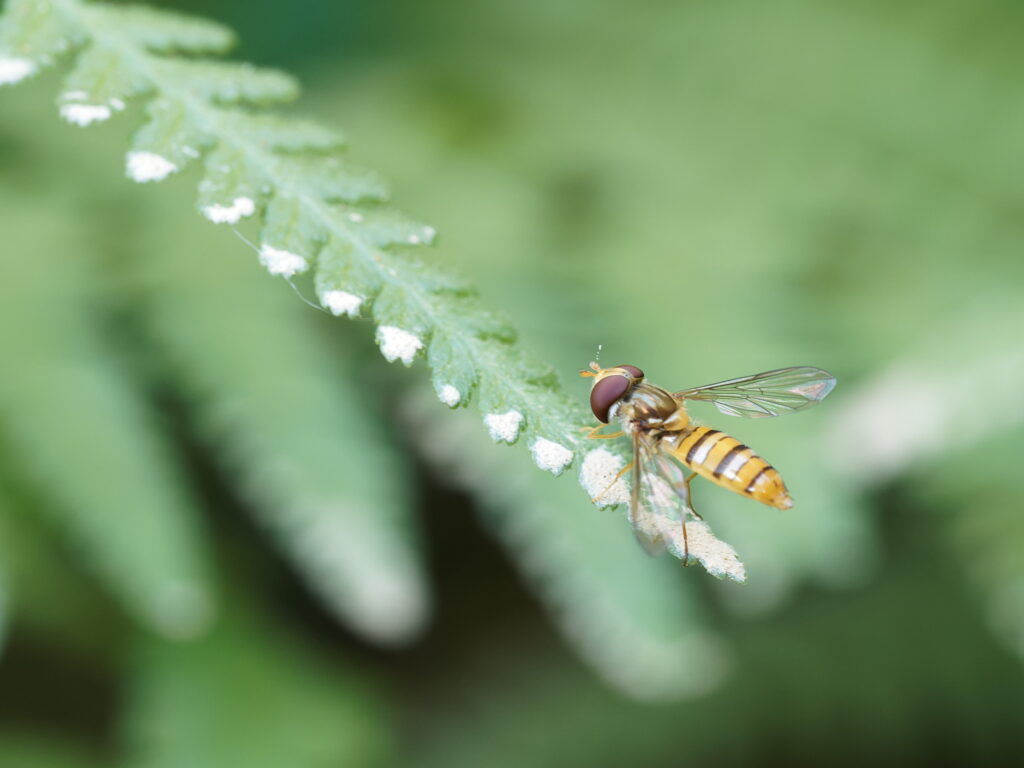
(772, 394)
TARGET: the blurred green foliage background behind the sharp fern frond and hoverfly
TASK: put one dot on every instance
(231, 535)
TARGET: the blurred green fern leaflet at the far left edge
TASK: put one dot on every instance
(88, 442)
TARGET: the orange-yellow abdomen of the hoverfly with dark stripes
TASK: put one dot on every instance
(730, 463)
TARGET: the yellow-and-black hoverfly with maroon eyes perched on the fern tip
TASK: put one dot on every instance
(666, 442)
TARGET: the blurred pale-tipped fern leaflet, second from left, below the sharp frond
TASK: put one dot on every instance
(296, 434)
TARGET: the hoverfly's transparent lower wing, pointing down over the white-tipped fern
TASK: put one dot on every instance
(660, 501)
